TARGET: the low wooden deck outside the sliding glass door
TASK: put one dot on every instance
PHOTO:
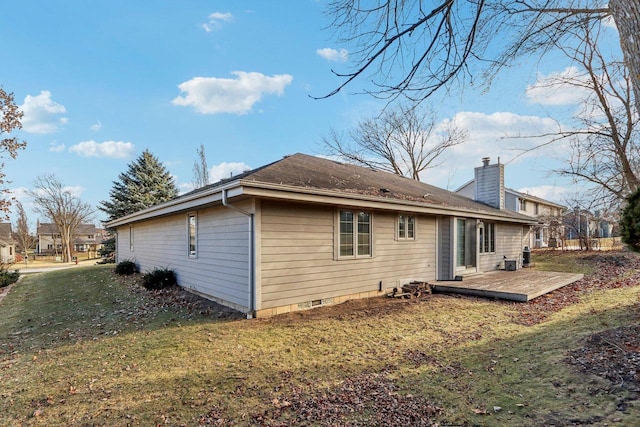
(520, 285)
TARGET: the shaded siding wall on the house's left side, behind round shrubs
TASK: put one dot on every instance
(221, 266)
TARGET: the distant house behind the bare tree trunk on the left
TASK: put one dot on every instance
(87, 238)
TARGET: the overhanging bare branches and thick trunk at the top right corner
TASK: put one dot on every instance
(417, 47)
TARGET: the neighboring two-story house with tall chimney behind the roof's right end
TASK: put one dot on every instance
(549, 230)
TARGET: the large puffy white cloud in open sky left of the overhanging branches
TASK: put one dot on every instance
(212, 95)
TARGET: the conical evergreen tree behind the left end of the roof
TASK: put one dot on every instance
(145, 183)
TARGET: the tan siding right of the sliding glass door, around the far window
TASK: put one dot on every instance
(510, 241)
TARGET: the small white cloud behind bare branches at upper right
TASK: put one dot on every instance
(555, 89)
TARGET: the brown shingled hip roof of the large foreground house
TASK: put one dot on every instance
(302, 173)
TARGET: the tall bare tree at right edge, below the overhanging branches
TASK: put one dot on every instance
(604, 144)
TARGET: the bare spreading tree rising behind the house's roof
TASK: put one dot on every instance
(405, 141)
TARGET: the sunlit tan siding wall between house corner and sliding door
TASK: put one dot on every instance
(298, 262)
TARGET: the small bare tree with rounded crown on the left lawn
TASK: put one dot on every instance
(62, 208)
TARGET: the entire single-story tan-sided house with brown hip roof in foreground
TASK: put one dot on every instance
(306, 231)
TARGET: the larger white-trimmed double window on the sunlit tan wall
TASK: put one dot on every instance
(355, 234)
